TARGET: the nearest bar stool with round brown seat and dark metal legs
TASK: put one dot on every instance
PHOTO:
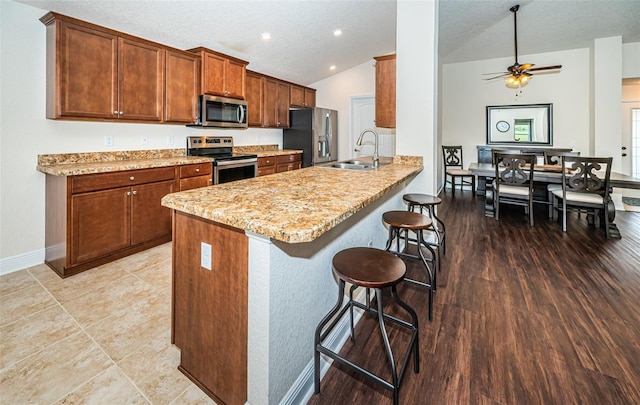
(369, 268)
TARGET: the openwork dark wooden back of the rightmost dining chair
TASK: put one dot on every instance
(587, 175)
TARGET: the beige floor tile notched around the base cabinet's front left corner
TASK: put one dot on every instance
(79, 284)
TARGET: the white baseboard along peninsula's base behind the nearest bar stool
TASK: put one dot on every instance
(303, 388)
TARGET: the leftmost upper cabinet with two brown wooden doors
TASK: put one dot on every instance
(96, 73)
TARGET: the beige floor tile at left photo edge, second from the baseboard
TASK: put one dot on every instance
(23, 303)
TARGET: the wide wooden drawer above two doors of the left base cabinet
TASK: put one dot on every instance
(102, 181)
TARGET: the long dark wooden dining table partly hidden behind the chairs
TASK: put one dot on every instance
(544, 175)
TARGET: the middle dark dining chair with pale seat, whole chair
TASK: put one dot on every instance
(513, 183)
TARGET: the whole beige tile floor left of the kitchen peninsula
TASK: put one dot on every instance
(101, 336)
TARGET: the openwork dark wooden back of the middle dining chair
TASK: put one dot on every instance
(514, 169)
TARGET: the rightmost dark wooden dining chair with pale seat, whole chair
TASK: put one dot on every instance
(585, 189)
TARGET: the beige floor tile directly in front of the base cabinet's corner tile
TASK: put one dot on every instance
(107, 299)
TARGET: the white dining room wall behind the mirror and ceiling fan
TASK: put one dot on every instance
(465, 96)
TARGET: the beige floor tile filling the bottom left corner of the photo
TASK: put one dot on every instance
(52, 373)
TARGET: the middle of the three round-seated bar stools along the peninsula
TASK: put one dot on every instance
(399, 221)
